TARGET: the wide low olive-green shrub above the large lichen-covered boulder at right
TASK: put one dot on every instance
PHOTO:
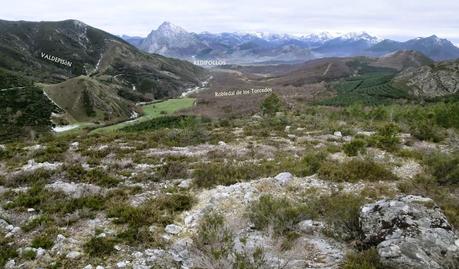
(354, 171)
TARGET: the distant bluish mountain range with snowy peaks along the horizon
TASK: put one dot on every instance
(242, 48)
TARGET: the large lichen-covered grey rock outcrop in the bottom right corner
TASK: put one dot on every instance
(410, 232)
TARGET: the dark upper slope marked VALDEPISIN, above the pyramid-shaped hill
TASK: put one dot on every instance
(25, 45)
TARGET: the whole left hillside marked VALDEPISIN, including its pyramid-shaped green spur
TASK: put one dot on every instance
(93, 75)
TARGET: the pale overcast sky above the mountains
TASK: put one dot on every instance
(396, 19)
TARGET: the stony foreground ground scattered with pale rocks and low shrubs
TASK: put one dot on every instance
(238, 196)
